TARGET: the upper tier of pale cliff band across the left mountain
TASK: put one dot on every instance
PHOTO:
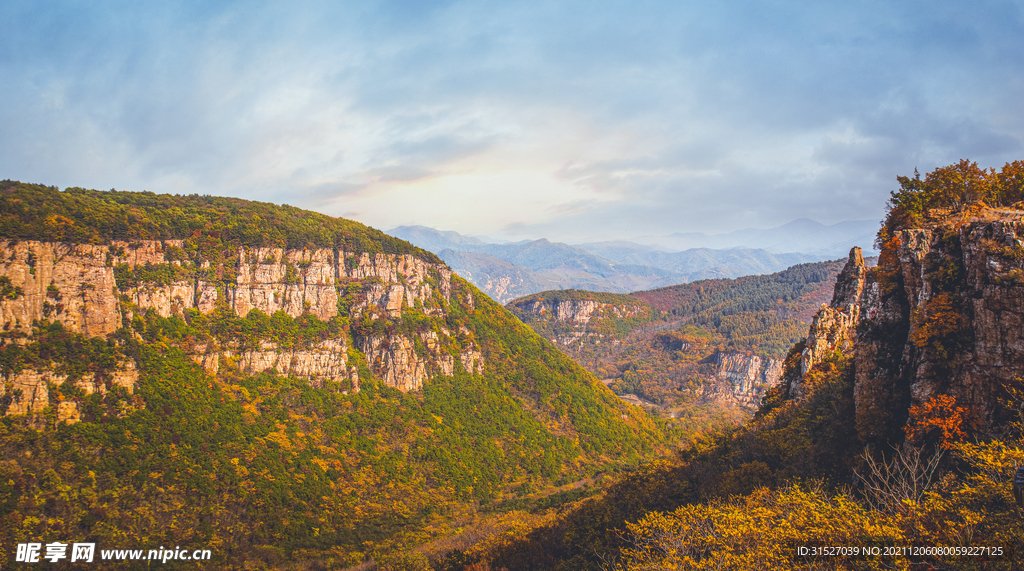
(75, 284)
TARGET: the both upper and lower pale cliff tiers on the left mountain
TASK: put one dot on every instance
(78, 286)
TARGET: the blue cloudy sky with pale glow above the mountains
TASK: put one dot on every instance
(573, 121)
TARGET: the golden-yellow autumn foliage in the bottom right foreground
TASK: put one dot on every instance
(763, 530)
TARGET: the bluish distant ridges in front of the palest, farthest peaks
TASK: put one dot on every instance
(506, 272)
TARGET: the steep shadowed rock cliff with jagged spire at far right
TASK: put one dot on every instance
(943, 315)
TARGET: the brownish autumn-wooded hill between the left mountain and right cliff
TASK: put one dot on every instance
(691, 352)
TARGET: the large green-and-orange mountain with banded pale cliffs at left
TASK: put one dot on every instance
(282, 387)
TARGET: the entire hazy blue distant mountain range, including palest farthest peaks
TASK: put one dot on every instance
(507, 272)
